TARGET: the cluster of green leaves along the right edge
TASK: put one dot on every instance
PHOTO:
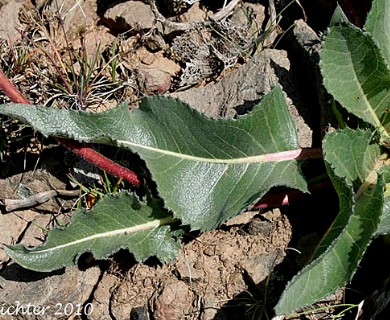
(355, 68)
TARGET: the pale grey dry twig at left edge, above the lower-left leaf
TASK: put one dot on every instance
(36, 199)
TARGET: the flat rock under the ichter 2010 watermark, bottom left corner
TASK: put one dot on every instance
(50, 292)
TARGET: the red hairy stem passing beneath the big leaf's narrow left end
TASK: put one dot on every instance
(85, 152)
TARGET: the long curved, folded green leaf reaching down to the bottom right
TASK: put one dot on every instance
(361, 207)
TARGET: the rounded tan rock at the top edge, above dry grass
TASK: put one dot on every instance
(130, 15)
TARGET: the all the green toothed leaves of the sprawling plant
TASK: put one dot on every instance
(209, 170)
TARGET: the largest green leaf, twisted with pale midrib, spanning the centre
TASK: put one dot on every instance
(206, 170)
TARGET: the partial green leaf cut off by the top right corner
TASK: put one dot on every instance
(378, 25)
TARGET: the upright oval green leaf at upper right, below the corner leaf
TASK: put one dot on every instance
(356, 75)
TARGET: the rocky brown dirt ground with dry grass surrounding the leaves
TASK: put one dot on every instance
(221, 68)
